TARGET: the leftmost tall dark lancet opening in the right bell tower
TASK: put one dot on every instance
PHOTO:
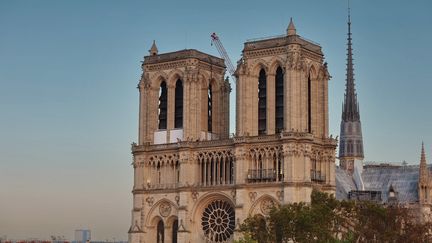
(262, 102)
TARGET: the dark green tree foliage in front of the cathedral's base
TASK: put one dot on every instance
(326, 219)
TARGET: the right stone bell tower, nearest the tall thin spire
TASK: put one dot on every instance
(282, 85)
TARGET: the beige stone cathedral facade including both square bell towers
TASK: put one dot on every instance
(193, 182)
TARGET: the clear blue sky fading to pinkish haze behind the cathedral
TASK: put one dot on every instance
(69, 103)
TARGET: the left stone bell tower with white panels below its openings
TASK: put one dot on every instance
(183, 96)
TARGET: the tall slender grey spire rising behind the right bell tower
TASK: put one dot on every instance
(351, 139)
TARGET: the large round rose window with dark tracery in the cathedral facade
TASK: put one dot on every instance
(218, 221)
